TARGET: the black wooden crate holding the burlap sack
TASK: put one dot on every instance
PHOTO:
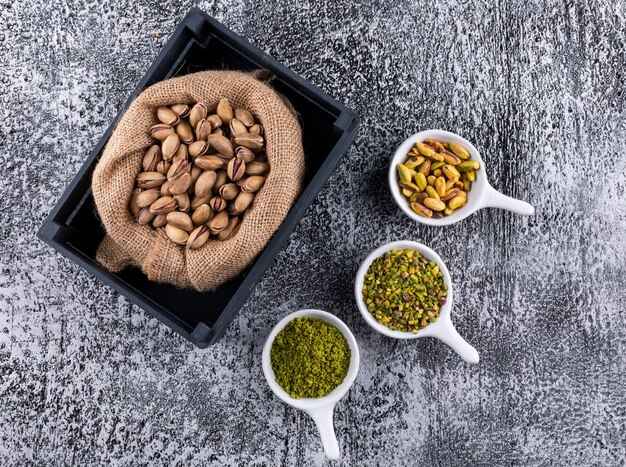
(202, 43)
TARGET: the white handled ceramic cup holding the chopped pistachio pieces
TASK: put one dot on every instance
(442, 328)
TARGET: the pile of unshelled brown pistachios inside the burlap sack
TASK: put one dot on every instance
(203, 173)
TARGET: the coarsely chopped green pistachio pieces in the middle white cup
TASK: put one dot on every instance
(404, 290)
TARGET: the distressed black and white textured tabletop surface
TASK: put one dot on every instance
(87, 379)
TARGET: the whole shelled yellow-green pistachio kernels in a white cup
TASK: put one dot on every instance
(436, 177)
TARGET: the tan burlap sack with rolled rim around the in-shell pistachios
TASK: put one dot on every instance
(129, 243)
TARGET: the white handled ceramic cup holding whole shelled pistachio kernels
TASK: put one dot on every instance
(482, 194)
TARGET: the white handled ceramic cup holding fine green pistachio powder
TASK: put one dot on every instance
(320, 409)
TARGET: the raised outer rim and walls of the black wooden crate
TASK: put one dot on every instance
(54, 229)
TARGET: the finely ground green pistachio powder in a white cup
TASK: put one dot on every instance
(310, 357)
